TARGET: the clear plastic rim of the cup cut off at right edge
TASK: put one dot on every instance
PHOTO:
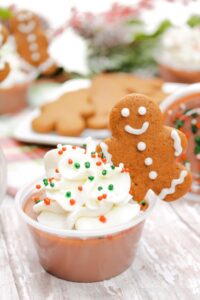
(182, 92)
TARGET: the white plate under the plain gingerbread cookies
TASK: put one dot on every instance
(25, 133)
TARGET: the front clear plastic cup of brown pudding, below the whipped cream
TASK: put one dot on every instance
(83, 256)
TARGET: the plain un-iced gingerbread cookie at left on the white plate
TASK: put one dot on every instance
(66, 116)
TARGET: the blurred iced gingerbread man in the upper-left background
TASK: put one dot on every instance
(32, 42)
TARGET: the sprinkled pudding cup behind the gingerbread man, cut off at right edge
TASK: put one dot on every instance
(182, 111)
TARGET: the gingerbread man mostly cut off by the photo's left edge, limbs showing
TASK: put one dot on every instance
(4, 66)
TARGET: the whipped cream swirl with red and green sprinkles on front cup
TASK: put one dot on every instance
(83, 190)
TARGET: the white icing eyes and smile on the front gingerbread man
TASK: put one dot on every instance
(125, 112)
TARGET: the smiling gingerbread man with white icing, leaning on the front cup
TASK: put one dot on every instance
(147, 148)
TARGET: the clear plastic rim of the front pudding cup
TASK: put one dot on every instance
(26, 192)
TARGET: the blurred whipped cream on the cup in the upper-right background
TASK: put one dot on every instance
(180, 48)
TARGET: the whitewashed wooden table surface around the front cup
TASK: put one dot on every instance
(167, 266)
